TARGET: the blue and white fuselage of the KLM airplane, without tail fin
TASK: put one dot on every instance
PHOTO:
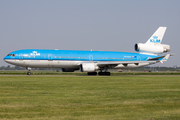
(40, 58)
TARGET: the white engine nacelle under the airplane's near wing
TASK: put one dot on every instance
(89, 67)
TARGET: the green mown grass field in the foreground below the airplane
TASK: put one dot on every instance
(90, 98)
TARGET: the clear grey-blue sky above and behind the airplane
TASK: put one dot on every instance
(106, 25)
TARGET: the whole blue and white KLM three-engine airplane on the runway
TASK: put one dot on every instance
(93, 61)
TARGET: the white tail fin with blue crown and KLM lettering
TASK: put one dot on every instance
(157, 37)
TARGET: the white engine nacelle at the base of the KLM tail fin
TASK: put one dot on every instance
(152, 48)
